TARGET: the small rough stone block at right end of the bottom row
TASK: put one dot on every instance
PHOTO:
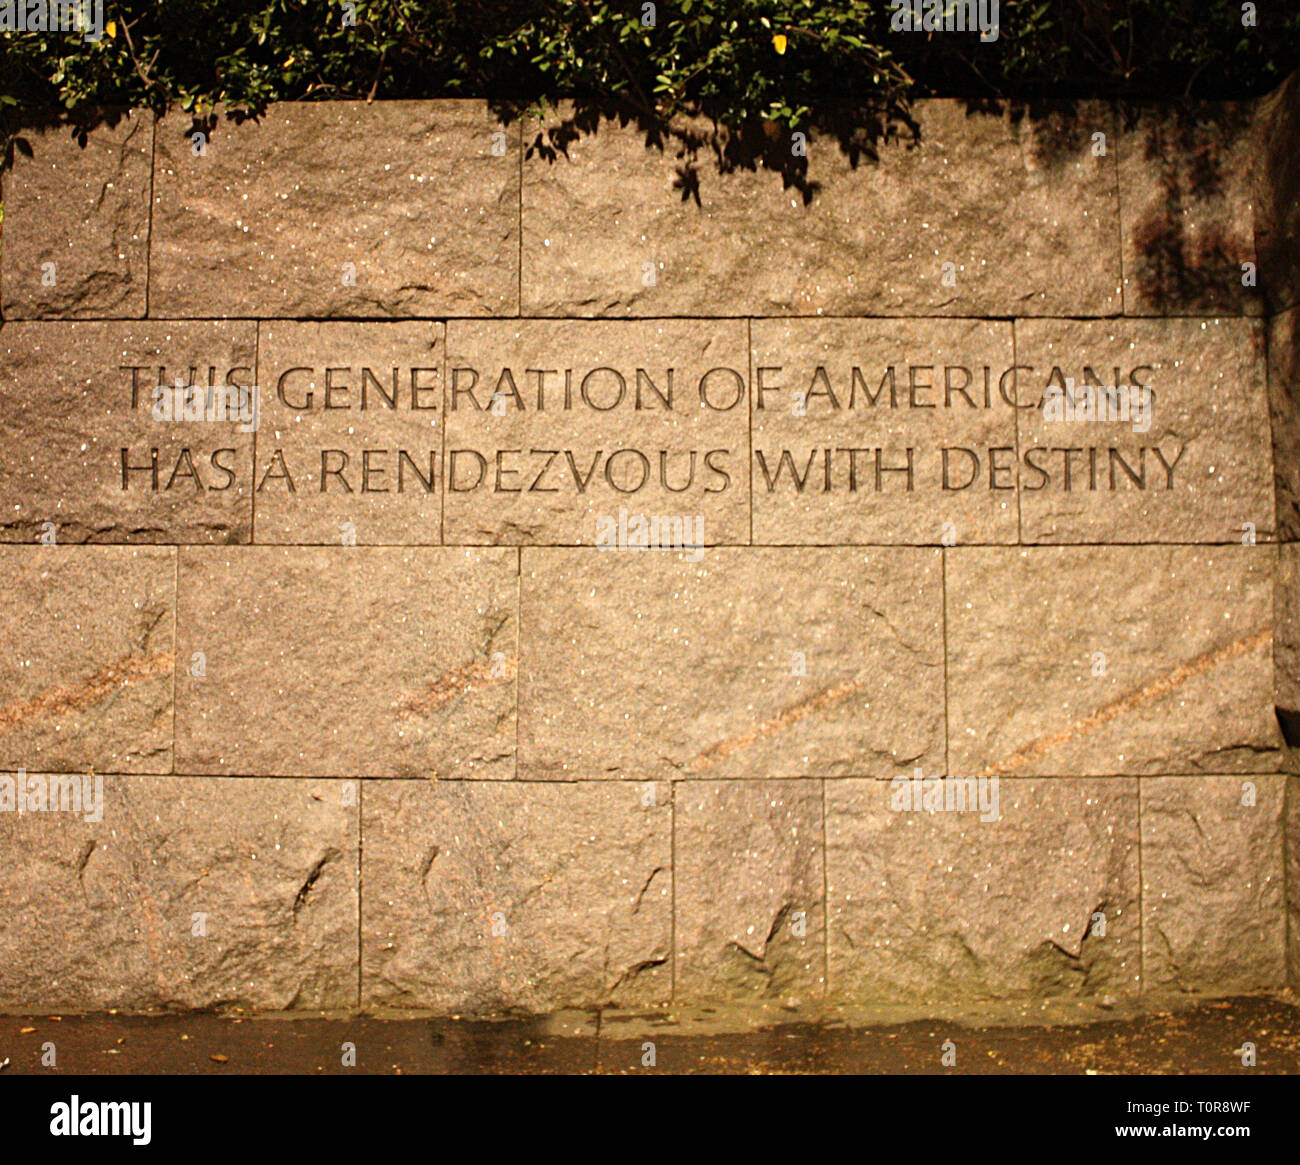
(1214, 886)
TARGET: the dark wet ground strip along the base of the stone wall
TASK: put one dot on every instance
(1210, 1037)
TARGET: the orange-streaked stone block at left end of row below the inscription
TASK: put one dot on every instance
(86, 674)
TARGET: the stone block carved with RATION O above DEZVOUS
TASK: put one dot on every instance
(603, 440)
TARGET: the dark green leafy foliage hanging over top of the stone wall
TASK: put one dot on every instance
(736, 60)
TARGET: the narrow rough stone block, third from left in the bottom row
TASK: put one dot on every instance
(749, 890)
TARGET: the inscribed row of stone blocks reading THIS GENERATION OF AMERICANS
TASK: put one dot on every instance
(538, 432)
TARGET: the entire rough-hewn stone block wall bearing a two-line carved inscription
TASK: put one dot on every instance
(388, 711)
